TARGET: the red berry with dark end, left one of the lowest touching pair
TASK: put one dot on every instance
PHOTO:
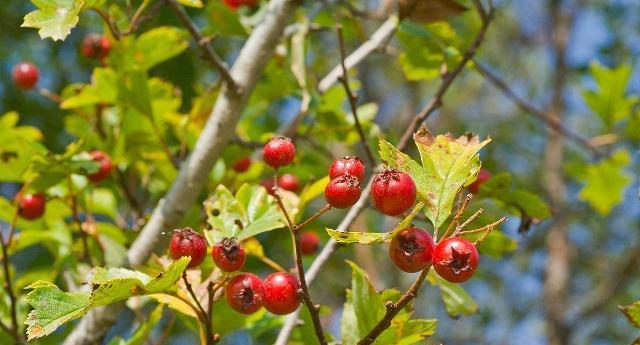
(245, 293)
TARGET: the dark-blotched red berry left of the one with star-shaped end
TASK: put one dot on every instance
(411, 249)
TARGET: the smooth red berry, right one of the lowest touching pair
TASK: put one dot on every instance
(281, 293)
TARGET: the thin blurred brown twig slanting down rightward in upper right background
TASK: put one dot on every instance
(550, 121)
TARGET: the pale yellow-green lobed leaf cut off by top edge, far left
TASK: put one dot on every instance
(54, 18)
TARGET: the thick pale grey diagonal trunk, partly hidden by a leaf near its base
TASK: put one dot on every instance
(194, 172)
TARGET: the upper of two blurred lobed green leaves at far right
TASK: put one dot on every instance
(609, 101)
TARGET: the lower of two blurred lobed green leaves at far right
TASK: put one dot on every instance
(606, 182)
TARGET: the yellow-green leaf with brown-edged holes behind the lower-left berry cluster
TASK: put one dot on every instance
(250, 212)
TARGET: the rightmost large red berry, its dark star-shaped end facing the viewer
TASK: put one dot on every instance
(455, 259)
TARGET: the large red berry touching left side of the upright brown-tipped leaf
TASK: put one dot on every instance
(393, 192)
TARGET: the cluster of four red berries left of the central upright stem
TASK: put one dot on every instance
(245, 293)
